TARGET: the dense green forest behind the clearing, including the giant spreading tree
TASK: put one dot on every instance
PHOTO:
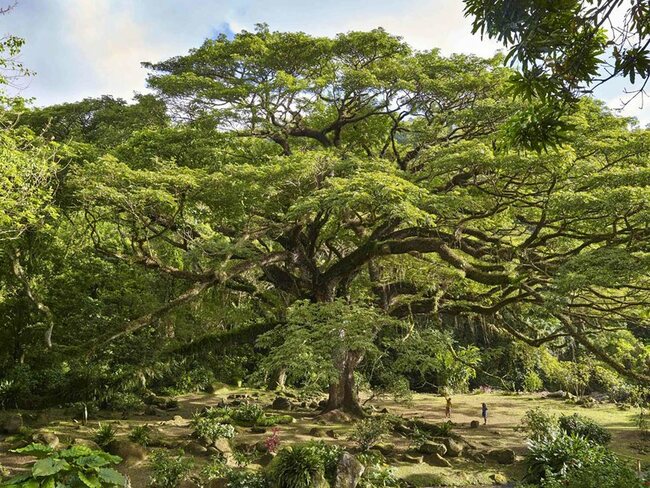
(345, 218)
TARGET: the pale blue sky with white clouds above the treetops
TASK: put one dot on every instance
(88, 48)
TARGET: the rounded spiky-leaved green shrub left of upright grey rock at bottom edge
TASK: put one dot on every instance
(297, 467)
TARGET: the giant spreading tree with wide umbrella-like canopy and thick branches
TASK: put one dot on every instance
(355, 168)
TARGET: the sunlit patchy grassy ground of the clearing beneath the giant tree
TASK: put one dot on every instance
(505, 413)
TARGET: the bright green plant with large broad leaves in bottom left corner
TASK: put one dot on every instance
(76, 466)
